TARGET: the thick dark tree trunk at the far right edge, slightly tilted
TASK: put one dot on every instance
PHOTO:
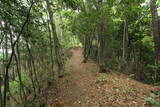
(156, 33)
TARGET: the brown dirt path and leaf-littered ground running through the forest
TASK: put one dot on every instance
(83, 86)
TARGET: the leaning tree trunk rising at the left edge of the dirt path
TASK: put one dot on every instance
(57, 47)
